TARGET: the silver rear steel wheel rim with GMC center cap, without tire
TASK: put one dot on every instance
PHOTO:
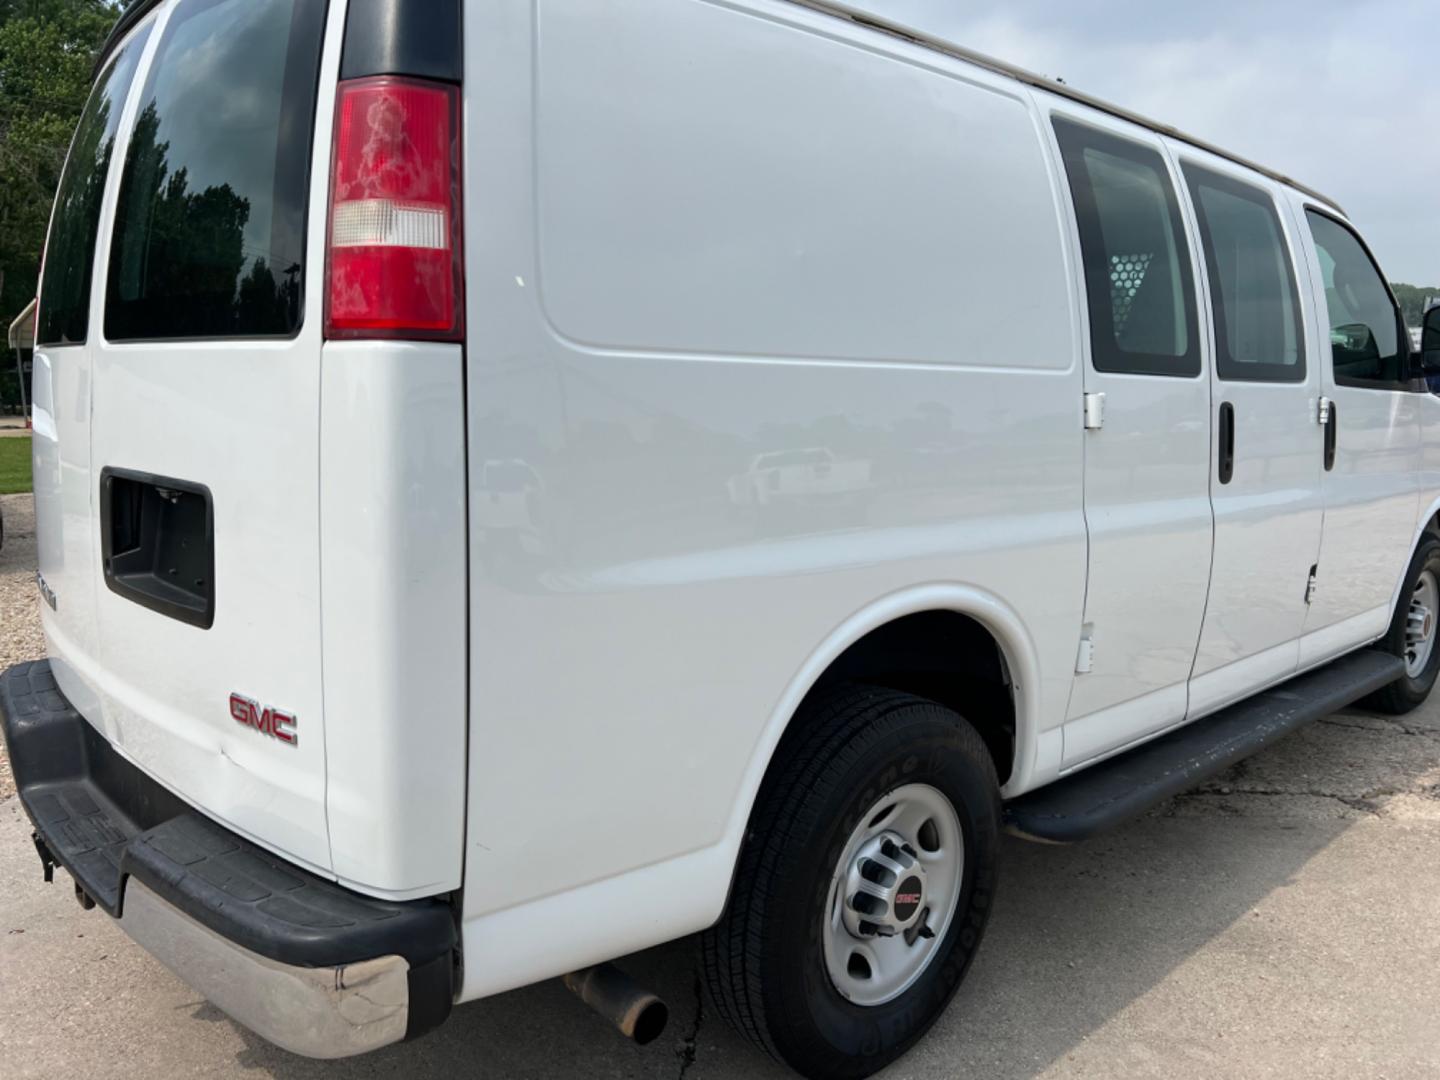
(894, 895)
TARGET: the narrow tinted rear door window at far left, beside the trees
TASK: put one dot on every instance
(70, 256)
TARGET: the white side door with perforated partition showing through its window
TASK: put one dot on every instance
(1147, 449)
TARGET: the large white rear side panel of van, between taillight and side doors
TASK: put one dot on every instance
(673, 271)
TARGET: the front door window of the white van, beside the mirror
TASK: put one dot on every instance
(1364, 322)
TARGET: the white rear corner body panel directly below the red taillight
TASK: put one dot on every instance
(392, 571)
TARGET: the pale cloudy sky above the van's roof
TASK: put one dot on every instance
(1343, 96)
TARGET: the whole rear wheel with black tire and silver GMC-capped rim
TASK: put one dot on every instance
(863, 888)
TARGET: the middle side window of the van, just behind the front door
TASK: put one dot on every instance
(1252, 282)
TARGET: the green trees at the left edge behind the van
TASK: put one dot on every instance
(48, 53)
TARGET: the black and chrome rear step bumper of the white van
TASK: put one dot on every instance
(303, 963)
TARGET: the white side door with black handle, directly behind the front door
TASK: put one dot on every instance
(1266, 483)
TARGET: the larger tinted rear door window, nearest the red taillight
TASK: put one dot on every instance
(211, 224)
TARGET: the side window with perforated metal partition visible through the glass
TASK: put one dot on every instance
(1137, 263)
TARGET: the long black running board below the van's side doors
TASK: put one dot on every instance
(1122, 788)
